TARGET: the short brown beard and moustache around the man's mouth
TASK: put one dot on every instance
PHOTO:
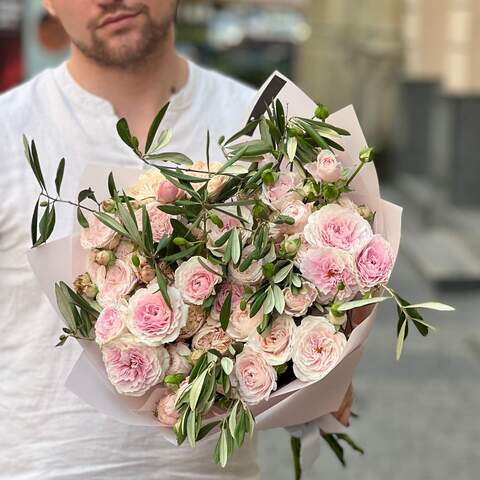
(128, 56)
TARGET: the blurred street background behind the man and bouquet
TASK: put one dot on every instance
(412, 71)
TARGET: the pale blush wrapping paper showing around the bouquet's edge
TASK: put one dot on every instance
(293, 404)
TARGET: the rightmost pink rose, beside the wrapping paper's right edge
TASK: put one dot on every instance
(374, 262)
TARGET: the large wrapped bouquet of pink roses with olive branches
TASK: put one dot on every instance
(208, 294)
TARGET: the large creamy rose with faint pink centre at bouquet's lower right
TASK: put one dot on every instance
(317, 348)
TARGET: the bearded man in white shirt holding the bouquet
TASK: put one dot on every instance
(123, 63)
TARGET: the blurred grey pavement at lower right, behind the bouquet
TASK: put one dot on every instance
(419, 417)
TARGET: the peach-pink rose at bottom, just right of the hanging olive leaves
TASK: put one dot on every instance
(254, 377)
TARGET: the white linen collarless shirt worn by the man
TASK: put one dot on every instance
(46, 432)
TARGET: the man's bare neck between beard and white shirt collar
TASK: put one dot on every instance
(138, 93)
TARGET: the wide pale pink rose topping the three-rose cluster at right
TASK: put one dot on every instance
(339, 227)
